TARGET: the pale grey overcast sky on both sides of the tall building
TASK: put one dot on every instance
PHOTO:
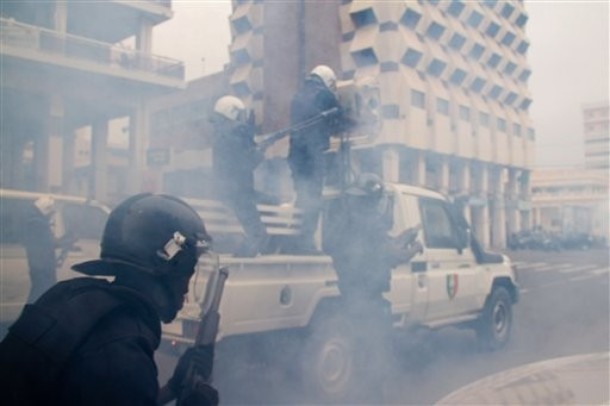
(569, 56)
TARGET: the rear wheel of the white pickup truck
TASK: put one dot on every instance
(328, 360)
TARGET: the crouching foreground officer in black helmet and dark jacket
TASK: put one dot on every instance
(88, 341)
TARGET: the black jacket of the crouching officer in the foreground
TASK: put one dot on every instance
(84, 342)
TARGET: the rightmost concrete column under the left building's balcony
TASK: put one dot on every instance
(138, 143)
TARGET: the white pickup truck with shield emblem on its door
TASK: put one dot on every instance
(278, 307)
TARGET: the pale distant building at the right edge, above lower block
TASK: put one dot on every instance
(597, 137)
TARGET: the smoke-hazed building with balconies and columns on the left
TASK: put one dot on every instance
(74, 66)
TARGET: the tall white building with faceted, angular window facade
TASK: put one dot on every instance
(453, 85)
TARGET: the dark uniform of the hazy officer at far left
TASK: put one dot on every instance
(40, 244)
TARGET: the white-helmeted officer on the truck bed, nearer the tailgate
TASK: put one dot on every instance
(234, 158)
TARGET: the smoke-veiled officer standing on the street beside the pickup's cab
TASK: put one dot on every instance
(363, 256)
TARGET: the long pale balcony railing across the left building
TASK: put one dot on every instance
(56, 44)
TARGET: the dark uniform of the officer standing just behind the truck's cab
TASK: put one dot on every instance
(306, 154)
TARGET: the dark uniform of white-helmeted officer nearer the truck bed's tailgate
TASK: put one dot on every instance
(235, 157)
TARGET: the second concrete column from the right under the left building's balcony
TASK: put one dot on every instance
(99, 161)
